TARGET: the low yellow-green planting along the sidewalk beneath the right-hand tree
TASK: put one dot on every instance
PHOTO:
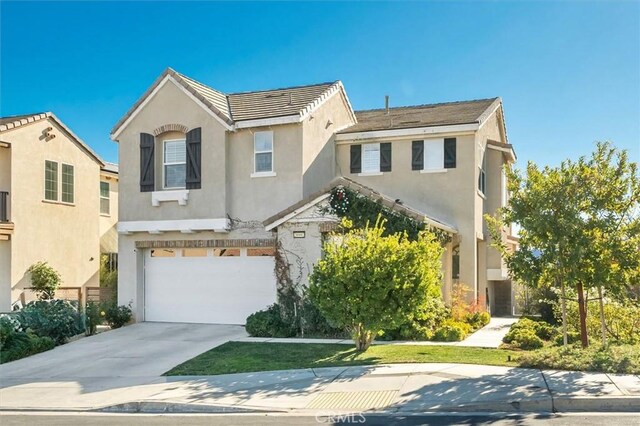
(623, 359)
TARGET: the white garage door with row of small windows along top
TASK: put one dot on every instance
(198, 285)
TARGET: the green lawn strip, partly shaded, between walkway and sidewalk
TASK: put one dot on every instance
(242, 357)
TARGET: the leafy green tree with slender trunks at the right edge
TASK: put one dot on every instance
(578, 226)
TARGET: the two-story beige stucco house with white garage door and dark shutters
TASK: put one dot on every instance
(214, 185)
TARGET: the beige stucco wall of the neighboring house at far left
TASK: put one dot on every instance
(66, 236)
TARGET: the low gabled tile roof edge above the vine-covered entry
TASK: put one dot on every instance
(385, 200)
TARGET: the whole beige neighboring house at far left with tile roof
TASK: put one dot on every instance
(49, 204)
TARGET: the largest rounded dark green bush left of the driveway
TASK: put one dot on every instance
(57, 319)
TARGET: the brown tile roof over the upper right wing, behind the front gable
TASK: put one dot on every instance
(450, 113)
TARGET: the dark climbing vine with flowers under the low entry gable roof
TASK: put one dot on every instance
(360, 210)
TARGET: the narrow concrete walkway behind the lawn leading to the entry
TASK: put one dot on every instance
(490, 336)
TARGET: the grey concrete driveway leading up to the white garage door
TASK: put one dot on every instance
(140, 350)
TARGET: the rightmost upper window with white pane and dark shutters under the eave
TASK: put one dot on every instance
(433, 154)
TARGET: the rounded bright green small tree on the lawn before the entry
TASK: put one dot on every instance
(367, 282)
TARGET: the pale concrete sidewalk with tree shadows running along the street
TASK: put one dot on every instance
(388, 388)
